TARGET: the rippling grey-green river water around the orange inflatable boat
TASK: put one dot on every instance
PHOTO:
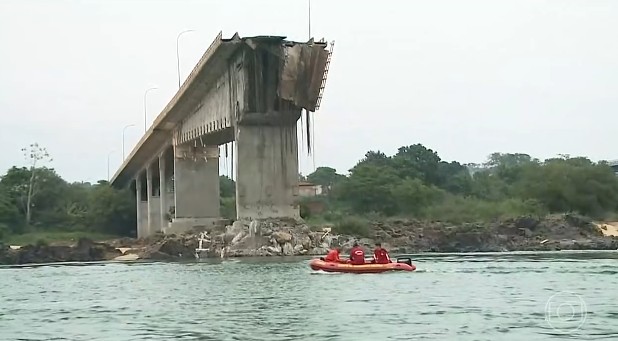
(502, 296)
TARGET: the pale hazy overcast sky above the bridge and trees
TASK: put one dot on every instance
(464, 78)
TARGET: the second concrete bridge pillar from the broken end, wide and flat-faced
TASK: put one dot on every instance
(196, 187)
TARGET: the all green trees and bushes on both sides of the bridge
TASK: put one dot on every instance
(414, 182)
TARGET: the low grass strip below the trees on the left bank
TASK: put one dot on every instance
(54, 237)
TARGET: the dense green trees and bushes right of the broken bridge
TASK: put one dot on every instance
(416, 182)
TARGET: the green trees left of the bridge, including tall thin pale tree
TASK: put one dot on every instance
(55, 205)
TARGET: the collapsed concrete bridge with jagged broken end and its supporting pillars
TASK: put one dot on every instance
(248, 90)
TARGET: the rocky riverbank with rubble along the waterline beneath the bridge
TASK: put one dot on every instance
(289, 238)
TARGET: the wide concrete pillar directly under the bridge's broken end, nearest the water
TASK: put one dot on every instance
(267, 171)
